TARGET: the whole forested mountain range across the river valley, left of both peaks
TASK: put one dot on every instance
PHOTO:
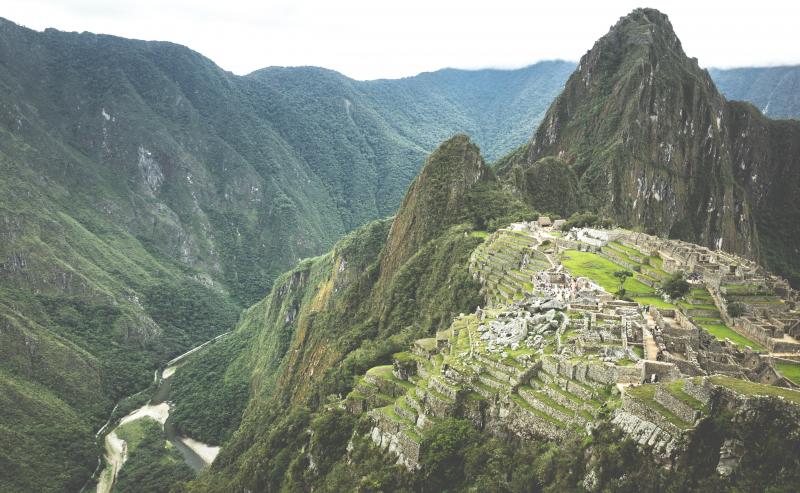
(148, 195)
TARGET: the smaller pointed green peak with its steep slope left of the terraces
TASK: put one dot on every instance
(334, 316)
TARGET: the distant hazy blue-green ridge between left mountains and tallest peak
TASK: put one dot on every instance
(497, 108)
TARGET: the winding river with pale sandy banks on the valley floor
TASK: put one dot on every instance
(197, 455)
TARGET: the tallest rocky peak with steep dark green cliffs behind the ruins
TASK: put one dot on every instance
(641, 134)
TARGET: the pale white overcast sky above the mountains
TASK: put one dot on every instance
(368, 39)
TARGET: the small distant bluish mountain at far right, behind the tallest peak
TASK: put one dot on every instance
(773, 90)
